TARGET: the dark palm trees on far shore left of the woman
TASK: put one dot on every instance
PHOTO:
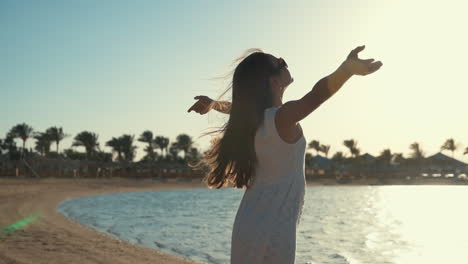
(123, 147)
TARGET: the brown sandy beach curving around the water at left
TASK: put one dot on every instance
(53, 238)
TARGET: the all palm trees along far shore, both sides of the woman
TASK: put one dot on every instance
(124, 150)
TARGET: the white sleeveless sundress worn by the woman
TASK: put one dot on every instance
(264, 229)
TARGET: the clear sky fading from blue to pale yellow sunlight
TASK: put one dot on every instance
(123, 67)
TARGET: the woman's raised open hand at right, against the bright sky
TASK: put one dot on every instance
(354, 65)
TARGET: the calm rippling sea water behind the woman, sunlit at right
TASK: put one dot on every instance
(340, 224)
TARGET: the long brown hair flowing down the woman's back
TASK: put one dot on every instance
(232, 157)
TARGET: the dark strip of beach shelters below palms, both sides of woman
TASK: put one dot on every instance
(363, 168)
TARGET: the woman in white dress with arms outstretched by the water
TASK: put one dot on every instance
(262, 149)
